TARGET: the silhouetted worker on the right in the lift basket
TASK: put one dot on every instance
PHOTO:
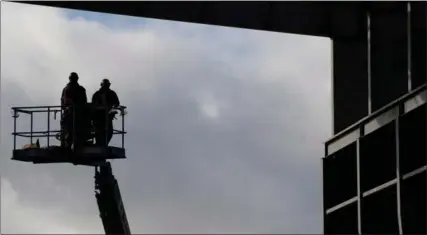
(103, 118)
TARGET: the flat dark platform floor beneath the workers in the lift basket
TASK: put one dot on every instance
(87, 155)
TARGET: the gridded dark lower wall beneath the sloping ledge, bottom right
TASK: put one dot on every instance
(376, 184)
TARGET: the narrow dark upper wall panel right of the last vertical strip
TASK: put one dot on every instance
(419, 42)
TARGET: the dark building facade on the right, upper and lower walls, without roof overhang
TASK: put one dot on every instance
(375, 165)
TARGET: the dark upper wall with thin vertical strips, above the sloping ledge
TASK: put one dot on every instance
(382, 63)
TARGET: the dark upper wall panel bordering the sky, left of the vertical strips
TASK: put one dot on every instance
(350, 82)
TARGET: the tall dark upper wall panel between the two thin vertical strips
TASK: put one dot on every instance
(389, 52)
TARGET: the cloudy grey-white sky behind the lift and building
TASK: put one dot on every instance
(226, 126)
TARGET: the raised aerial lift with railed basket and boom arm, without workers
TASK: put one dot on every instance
(107, 192)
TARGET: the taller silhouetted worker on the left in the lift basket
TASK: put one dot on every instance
(75, 125)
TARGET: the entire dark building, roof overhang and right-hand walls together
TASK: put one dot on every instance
(375, 165)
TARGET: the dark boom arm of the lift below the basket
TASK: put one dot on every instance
(110, 204)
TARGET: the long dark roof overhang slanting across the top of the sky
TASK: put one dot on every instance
(306, 18)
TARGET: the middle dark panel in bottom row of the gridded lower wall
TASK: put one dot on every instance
(379, 212)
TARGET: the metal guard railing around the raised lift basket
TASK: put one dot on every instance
(88, 113)
